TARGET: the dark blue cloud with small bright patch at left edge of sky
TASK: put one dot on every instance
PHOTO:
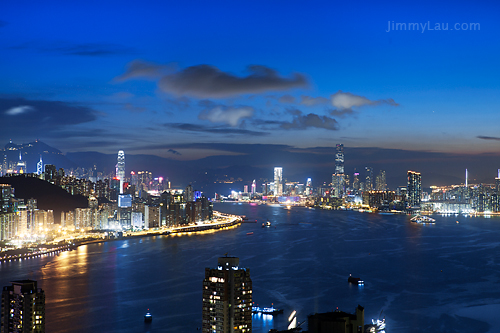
(19, 116)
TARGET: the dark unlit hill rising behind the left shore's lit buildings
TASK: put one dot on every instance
(48, 196)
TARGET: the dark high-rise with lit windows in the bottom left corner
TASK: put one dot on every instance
(23, 308)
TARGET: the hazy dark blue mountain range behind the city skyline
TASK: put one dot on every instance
(246, 162)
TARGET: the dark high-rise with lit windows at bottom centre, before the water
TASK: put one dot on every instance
(227, 298)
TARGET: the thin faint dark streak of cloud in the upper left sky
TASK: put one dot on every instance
(87, 50)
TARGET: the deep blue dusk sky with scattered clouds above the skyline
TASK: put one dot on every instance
(186, 80)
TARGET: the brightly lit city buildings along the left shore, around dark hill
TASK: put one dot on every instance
(121, 203)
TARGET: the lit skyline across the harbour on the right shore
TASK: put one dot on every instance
(370, 191)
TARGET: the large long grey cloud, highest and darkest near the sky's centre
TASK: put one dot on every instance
(205, 81)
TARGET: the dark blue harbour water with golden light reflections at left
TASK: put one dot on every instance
(425, 278)
